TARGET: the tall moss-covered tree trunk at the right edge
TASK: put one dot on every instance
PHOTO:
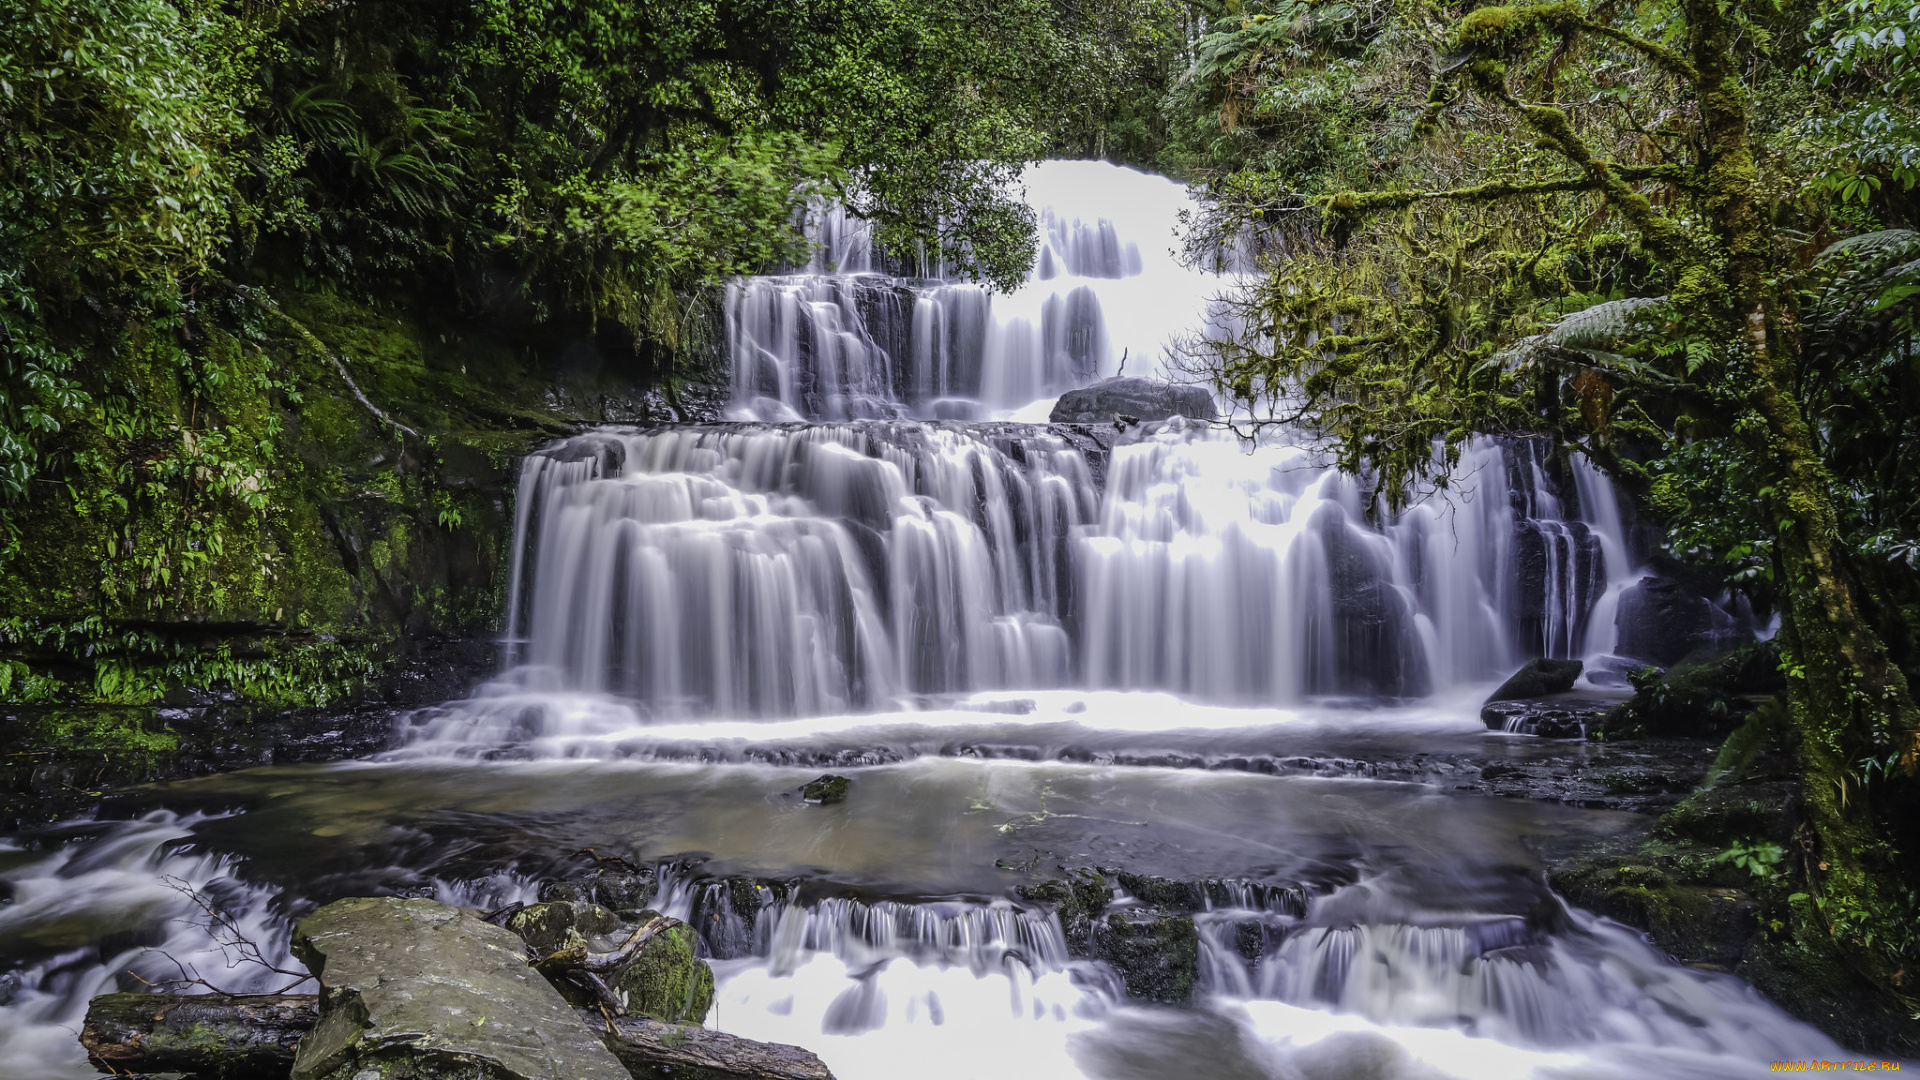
(1846, 697)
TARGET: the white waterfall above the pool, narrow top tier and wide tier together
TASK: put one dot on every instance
(859, 539)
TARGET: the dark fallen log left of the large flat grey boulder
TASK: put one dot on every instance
(206, 1035)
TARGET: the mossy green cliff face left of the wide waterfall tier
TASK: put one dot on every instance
(279, 499)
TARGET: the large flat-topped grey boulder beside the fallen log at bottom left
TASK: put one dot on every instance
(420, 991)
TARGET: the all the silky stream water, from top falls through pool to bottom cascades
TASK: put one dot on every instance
(1036, 649)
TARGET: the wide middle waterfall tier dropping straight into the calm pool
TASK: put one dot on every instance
(802, 570)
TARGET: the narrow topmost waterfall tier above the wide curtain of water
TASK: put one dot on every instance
(861, 337)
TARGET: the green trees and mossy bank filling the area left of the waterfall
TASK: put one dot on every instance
(241, 247)
